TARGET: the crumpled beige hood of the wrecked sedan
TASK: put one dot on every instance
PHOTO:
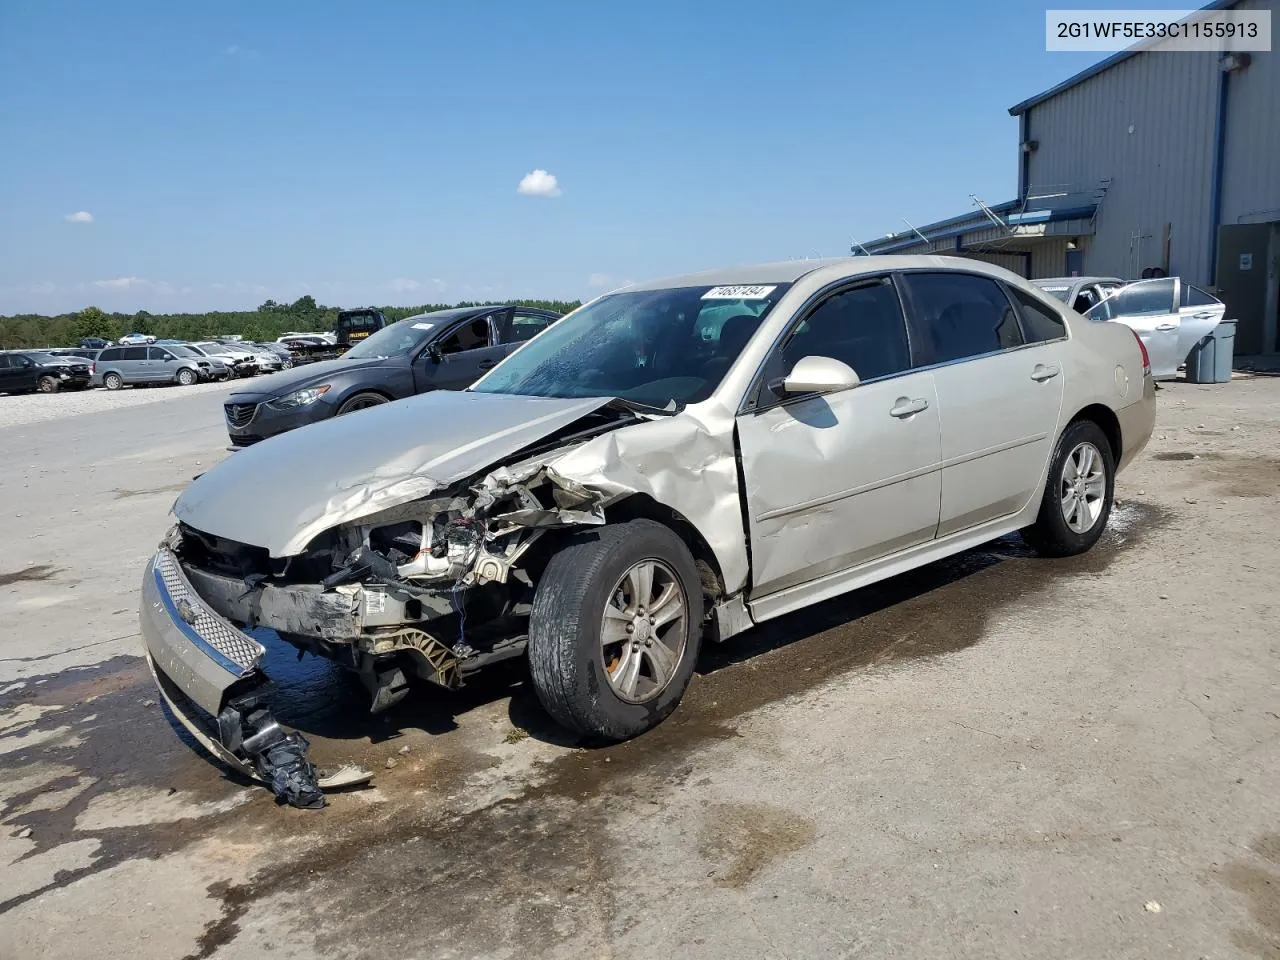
(284, 492)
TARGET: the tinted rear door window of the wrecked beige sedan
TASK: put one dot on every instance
(962, 316)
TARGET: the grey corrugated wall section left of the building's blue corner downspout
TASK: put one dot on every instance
(1160, 173)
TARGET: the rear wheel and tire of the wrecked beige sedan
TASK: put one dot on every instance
(1078, 493)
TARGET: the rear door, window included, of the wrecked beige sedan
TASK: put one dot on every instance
(1000, 390)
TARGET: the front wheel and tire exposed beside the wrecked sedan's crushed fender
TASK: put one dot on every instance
(615, 630)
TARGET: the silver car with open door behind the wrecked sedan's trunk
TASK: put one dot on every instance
(1169, 316)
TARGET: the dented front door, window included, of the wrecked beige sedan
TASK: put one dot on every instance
(838, 481)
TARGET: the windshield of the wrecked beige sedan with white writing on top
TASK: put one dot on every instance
(652, 348)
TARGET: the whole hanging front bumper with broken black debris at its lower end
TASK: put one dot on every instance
(200, 660)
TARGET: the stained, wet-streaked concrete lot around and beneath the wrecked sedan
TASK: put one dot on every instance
(994, 757)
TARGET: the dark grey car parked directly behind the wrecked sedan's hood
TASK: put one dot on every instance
(447, 350)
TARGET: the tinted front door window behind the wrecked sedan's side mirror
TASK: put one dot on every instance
(862, 327)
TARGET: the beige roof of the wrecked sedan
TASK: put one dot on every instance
(826, 269)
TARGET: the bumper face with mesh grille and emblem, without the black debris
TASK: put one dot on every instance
(202, 652)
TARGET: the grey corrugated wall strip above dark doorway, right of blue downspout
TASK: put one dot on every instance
(1251, 189)
